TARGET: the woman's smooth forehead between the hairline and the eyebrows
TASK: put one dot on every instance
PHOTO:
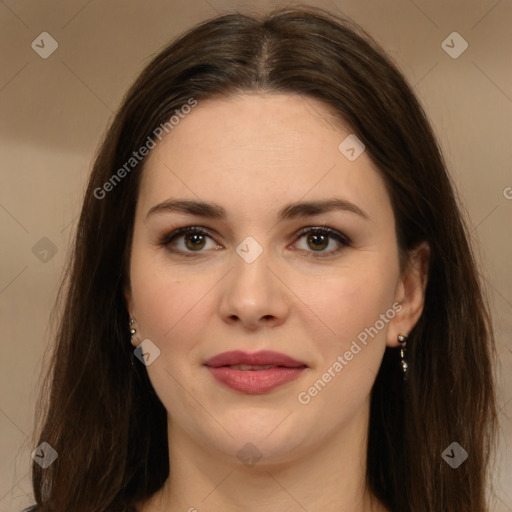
(256, 147)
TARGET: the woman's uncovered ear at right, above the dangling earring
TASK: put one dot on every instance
(410, 293)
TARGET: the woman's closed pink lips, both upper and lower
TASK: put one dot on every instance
(285, 370)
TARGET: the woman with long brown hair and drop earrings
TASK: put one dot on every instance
(272, 303)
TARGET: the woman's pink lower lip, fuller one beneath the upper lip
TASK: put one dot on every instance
(255, 381)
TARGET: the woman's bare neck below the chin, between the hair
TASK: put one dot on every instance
(329, 477)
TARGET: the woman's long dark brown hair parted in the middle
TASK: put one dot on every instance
(101, 413)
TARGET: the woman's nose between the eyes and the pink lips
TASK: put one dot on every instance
(254, 295)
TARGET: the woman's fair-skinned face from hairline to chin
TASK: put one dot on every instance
(250, 281)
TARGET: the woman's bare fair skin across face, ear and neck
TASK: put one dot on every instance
(253, 154)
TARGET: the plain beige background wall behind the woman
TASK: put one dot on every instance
(54, 110)
